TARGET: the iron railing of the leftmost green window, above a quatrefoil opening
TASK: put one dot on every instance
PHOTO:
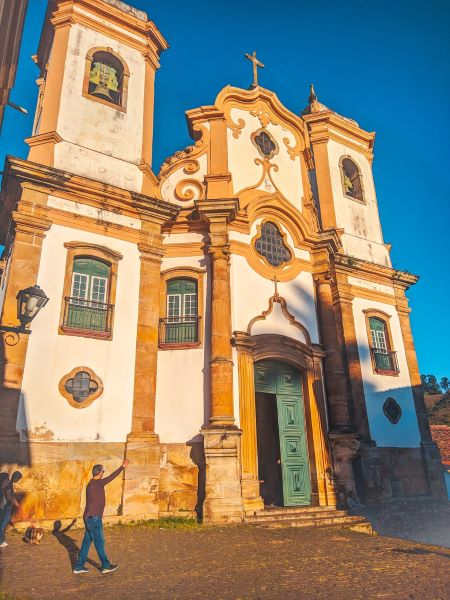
(88, 314)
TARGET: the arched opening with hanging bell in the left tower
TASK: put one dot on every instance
(106, 78)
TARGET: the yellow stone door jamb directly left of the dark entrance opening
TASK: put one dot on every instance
(247, 414)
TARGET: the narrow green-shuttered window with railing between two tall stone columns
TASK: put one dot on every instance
(181, 323)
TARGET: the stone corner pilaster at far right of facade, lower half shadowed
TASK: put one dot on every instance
(430, 451)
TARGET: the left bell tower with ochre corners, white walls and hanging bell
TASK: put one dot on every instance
(94, 116)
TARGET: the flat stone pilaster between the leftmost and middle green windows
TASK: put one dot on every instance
(141, 480)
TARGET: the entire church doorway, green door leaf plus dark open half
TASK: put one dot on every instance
(283, 462)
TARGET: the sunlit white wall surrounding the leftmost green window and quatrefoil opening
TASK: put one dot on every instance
(51, 356)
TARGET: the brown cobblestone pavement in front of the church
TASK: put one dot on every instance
(230, 563)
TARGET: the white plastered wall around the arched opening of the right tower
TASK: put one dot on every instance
(363, 237)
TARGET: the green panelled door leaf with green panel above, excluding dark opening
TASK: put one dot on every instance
(284, 382)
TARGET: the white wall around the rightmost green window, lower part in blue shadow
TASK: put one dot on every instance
(377, 388)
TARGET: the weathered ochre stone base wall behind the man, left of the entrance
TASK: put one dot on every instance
(55, 475)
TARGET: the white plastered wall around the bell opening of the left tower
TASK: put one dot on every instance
(112, 156)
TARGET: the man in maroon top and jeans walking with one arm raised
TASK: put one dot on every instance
(93, 513)
